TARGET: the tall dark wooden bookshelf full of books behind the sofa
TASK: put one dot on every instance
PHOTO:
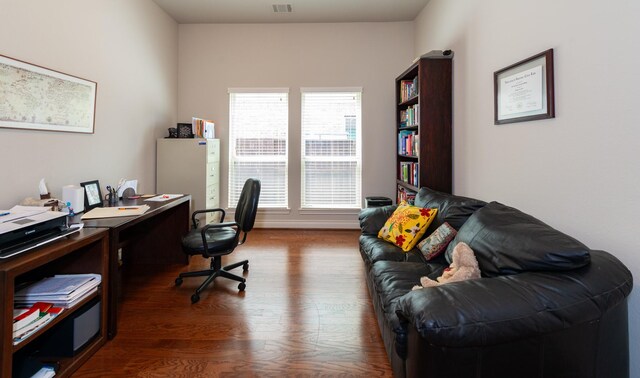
(423, 126)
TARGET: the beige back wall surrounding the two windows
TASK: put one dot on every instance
(213, 58)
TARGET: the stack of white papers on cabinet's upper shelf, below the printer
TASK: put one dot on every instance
(64, 290)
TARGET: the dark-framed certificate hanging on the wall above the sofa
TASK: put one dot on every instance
(524, 91)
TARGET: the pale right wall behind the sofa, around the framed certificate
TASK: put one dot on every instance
(578, 172)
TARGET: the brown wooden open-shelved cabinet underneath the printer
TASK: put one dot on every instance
(82, 252)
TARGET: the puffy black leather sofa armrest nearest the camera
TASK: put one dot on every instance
(495, 310)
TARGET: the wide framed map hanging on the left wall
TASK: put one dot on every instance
(37, 98)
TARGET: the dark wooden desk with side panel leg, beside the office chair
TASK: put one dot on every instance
(152, 238)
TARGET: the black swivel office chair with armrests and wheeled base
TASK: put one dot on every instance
(215, 240)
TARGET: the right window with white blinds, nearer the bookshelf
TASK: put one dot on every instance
(331, 148)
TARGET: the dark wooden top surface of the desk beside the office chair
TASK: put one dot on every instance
(120, 222)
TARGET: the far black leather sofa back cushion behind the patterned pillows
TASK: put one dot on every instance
(452, 209)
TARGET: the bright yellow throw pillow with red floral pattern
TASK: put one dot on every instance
(406, 225)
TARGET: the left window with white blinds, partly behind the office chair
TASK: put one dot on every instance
(258, 130)
